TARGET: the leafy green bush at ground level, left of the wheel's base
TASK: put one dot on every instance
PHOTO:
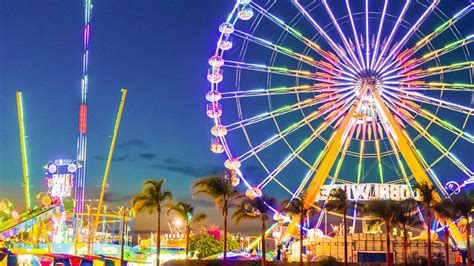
(204, 245)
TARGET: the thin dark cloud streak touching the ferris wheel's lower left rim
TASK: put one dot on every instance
(175, 165)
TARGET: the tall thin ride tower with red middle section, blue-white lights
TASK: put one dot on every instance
(82, 139)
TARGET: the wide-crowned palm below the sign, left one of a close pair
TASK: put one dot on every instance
(385, 211)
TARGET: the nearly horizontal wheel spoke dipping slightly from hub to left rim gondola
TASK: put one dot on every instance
(316, 88)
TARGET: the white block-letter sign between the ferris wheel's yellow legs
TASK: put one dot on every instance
(370, 191)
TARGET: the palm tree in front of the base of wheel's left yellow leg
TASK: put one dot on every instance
(296, 207)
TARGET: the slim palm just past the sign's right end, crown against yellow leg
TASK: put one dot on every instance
(427, 202)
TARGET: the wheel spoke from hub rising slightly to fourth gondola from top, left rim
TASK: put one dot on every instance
(306, 74)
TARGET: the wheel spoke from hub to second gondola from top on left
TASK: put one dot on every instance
(322, 65)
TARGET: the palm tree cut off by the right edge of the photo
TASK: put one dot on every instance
(462, 206)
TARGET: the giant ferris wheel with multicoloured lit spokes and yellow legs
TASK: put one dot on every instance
(305, 94)
